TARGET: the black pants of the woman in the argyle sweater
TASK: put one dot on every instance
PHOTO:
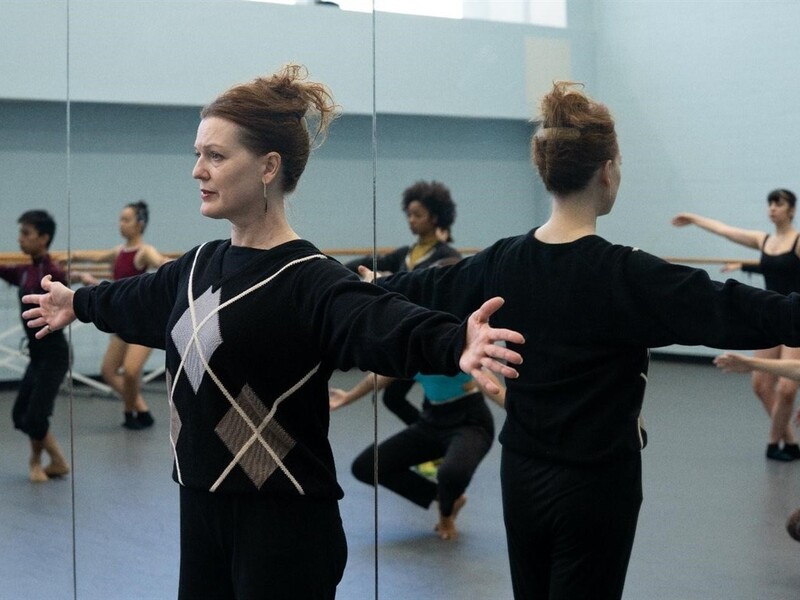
(255, 547)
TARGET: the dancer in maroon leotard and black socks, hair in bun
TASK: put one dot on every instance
(123, 363)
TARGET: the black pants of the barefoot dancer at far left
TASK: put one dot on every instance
(49, 362)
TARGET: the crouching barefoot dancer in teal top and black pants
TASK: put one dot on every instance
(455, 425)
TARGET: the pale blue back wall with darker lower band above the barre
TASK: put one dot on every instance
(136, 74)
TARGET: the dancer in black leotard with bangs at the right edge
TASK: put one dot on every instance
(780, 266)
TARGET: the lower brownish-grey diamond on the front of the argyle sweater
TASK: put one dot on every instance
(234, 431)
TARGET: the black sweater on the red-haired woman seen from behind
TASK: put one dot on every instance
(590, 310)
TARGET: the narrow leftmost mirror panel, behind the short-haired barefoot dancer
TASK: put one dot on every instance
(35, 518)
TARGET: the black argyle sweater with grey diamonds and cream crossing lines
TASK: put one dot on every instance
(249, 354)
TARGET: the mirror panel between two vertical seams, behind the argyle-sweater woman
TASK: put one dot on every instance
(139, 73)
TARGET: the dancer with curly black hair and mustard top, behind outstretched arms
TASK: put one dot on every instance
(430, 212)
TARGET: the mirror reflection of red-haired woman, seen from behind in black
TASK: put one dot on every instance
(590, 310)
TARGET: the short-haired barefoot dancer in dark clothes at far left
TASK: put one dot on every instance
(49, 356)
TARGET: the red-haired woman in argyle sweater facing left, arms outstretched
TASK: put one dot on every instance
(253, 326)
